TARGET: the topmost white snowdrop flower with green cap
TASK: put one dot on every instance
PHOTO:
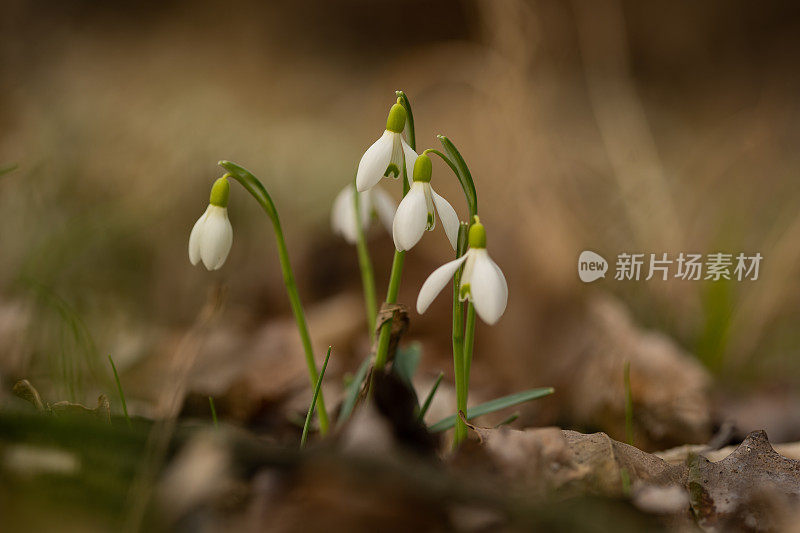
(387, 156)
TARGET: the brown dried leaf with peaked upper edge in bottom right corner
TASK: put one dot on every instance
(752, 489)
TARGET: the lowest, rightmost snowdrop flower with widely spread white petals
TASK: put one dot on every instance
(482, 282)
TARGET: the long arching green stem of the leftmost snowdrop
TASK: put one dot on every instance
(257, 190)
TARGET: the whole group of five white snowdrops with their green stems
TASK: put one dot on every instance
(478, 283)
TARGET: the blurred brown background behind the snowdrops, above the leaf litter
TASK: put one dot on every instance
(612, 126)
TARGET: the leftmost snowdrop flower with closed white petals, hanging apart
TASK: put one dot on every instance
(212, 234)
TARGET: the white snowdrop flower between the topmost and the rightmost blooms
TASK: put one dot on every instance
(417, 211)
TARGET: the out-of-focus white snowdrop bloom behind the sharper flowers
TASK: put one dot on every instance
(375, 202)
